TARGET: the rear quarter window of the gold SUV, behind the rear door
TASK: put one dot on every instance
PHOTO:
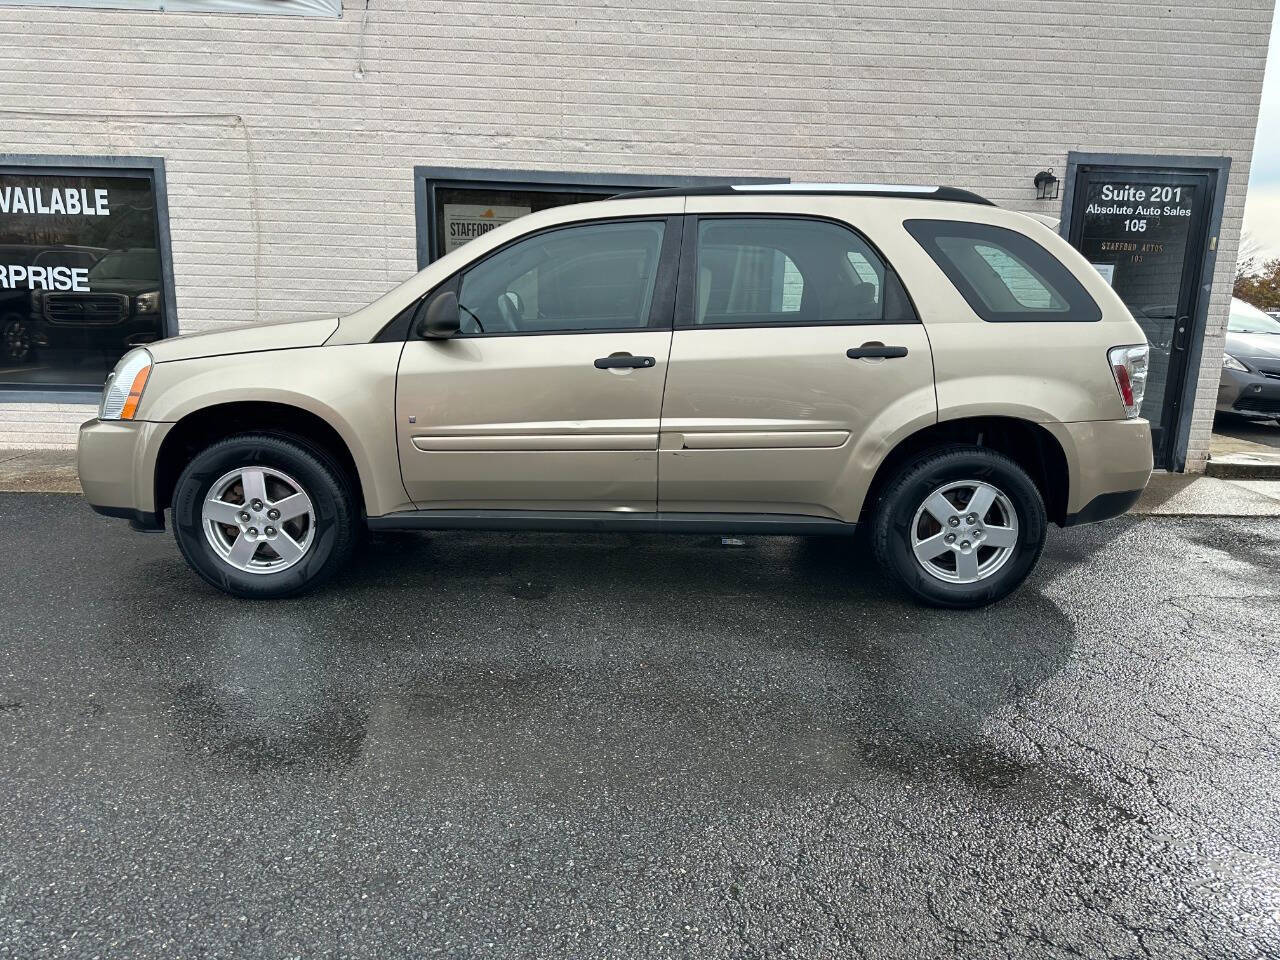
(1003, 275)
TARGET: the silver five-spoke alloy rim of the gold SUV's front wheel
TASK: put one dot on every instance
(259, 520)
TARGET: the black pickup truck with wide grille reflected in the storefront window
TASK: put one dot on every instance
(122, 308)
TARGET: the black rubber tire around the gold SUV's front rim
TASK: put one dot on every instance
(336, 515)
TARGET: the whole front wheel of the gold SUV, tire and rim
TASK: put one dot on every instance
(264, 516)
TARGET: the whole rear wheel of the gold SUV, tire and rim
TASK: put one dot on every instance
(961, 527)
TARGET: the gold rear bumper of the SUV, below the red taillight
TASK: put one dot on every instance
(1109, 463)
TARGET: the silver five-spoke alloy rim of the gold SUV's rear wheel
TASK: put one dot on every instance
(964, 532)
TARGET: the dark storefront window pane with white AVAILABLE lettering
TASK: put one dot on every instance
(81, 275)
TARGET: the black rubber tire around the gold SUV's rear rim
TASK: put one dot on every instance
(906, 495)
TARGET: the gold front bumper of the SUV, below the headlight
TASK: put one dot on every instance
(116, 460)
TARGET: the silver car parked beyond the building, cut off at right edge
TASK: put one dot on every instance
(1251, 364)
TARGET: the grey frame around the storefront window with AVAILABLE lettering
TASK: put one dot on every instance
(71, 166)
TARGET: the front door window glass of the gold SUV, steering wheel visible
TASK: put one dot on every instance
(593, 277)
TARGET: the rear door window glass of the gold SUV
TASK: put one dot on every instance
(790, 271)
